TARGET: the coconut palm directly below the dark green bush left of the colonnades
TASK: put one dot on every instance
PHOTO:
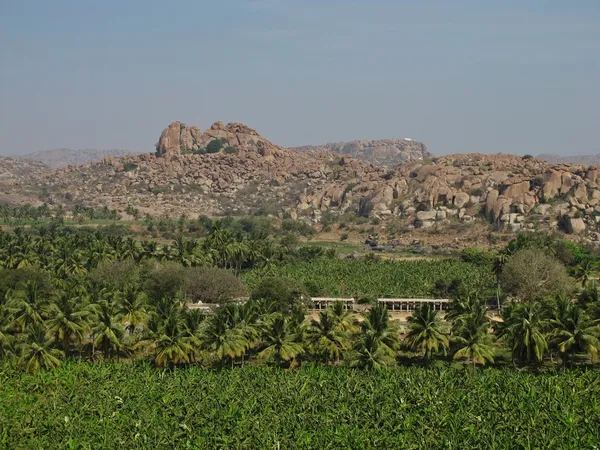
(279, 342)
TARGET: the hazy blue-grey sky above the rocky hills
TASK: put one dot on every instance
(462, 76)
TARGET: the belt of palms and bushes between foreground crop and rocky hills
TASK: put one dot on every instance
(74, 293)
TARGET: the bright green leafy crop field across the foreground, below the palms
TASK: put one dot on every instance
(83, 406)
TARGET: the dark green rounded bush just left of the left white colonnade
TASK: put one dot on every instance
(283, 294)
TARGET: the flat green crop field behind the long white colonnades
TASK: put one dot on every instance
(402, 279)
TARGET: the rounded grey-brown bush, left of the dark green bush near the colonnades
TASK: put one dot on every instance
(212, 285)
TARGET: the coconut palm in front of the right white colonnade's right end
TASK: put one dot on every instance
(426, 332)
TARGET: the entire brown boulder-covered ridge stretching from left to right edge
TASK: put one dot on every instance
(231, 169)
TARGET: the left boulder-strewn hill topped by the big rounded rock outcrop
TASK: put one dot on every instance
(227, 169)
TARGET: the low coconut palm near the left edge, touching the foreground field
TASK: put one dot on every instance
(38, 352)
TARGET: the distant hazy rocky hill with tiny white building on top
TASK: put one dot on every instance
(384, 152)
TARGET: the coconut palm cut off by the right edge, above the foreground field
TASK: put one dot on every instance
(574, 332)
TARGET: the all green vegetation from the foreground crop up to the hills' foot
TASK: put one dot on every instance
(73, 294)
